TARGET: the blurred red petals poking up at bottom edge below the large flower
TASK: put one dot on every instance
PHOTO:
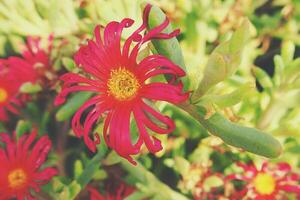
(119, 193)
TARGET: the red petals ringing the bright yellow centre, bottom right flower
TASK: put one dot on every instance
(285, 181)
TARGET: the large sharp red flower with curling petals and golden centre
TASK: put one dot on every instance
(123, 92)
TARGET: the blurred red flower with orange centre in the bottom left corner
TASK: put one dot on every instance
(21, 169)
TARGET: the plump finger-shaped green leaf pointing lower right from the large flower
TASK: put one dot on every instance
(249, 139)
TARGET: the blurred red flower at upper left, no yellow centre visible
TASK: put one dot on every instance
(35, 65)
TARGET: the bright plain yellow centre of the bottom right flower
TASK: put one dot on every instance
(264, 183)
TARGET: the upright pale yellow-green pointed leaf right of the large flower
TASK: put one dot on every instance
(224, 60)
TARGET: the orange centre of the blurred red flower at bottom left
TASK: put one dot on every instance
(17, 178)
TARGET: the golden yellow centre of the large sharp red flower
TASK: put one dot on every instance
(123, 84)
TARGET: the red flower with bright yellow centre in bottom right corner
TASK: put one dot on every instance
(272, 181)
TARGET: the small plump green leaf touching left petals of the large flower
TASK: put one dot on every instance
(67, 110)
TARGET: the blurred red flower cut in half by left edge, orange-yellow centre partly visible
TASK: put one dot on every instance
(9, 87)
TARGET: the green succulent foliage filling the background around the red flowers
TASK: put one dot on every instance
(252, 79)
